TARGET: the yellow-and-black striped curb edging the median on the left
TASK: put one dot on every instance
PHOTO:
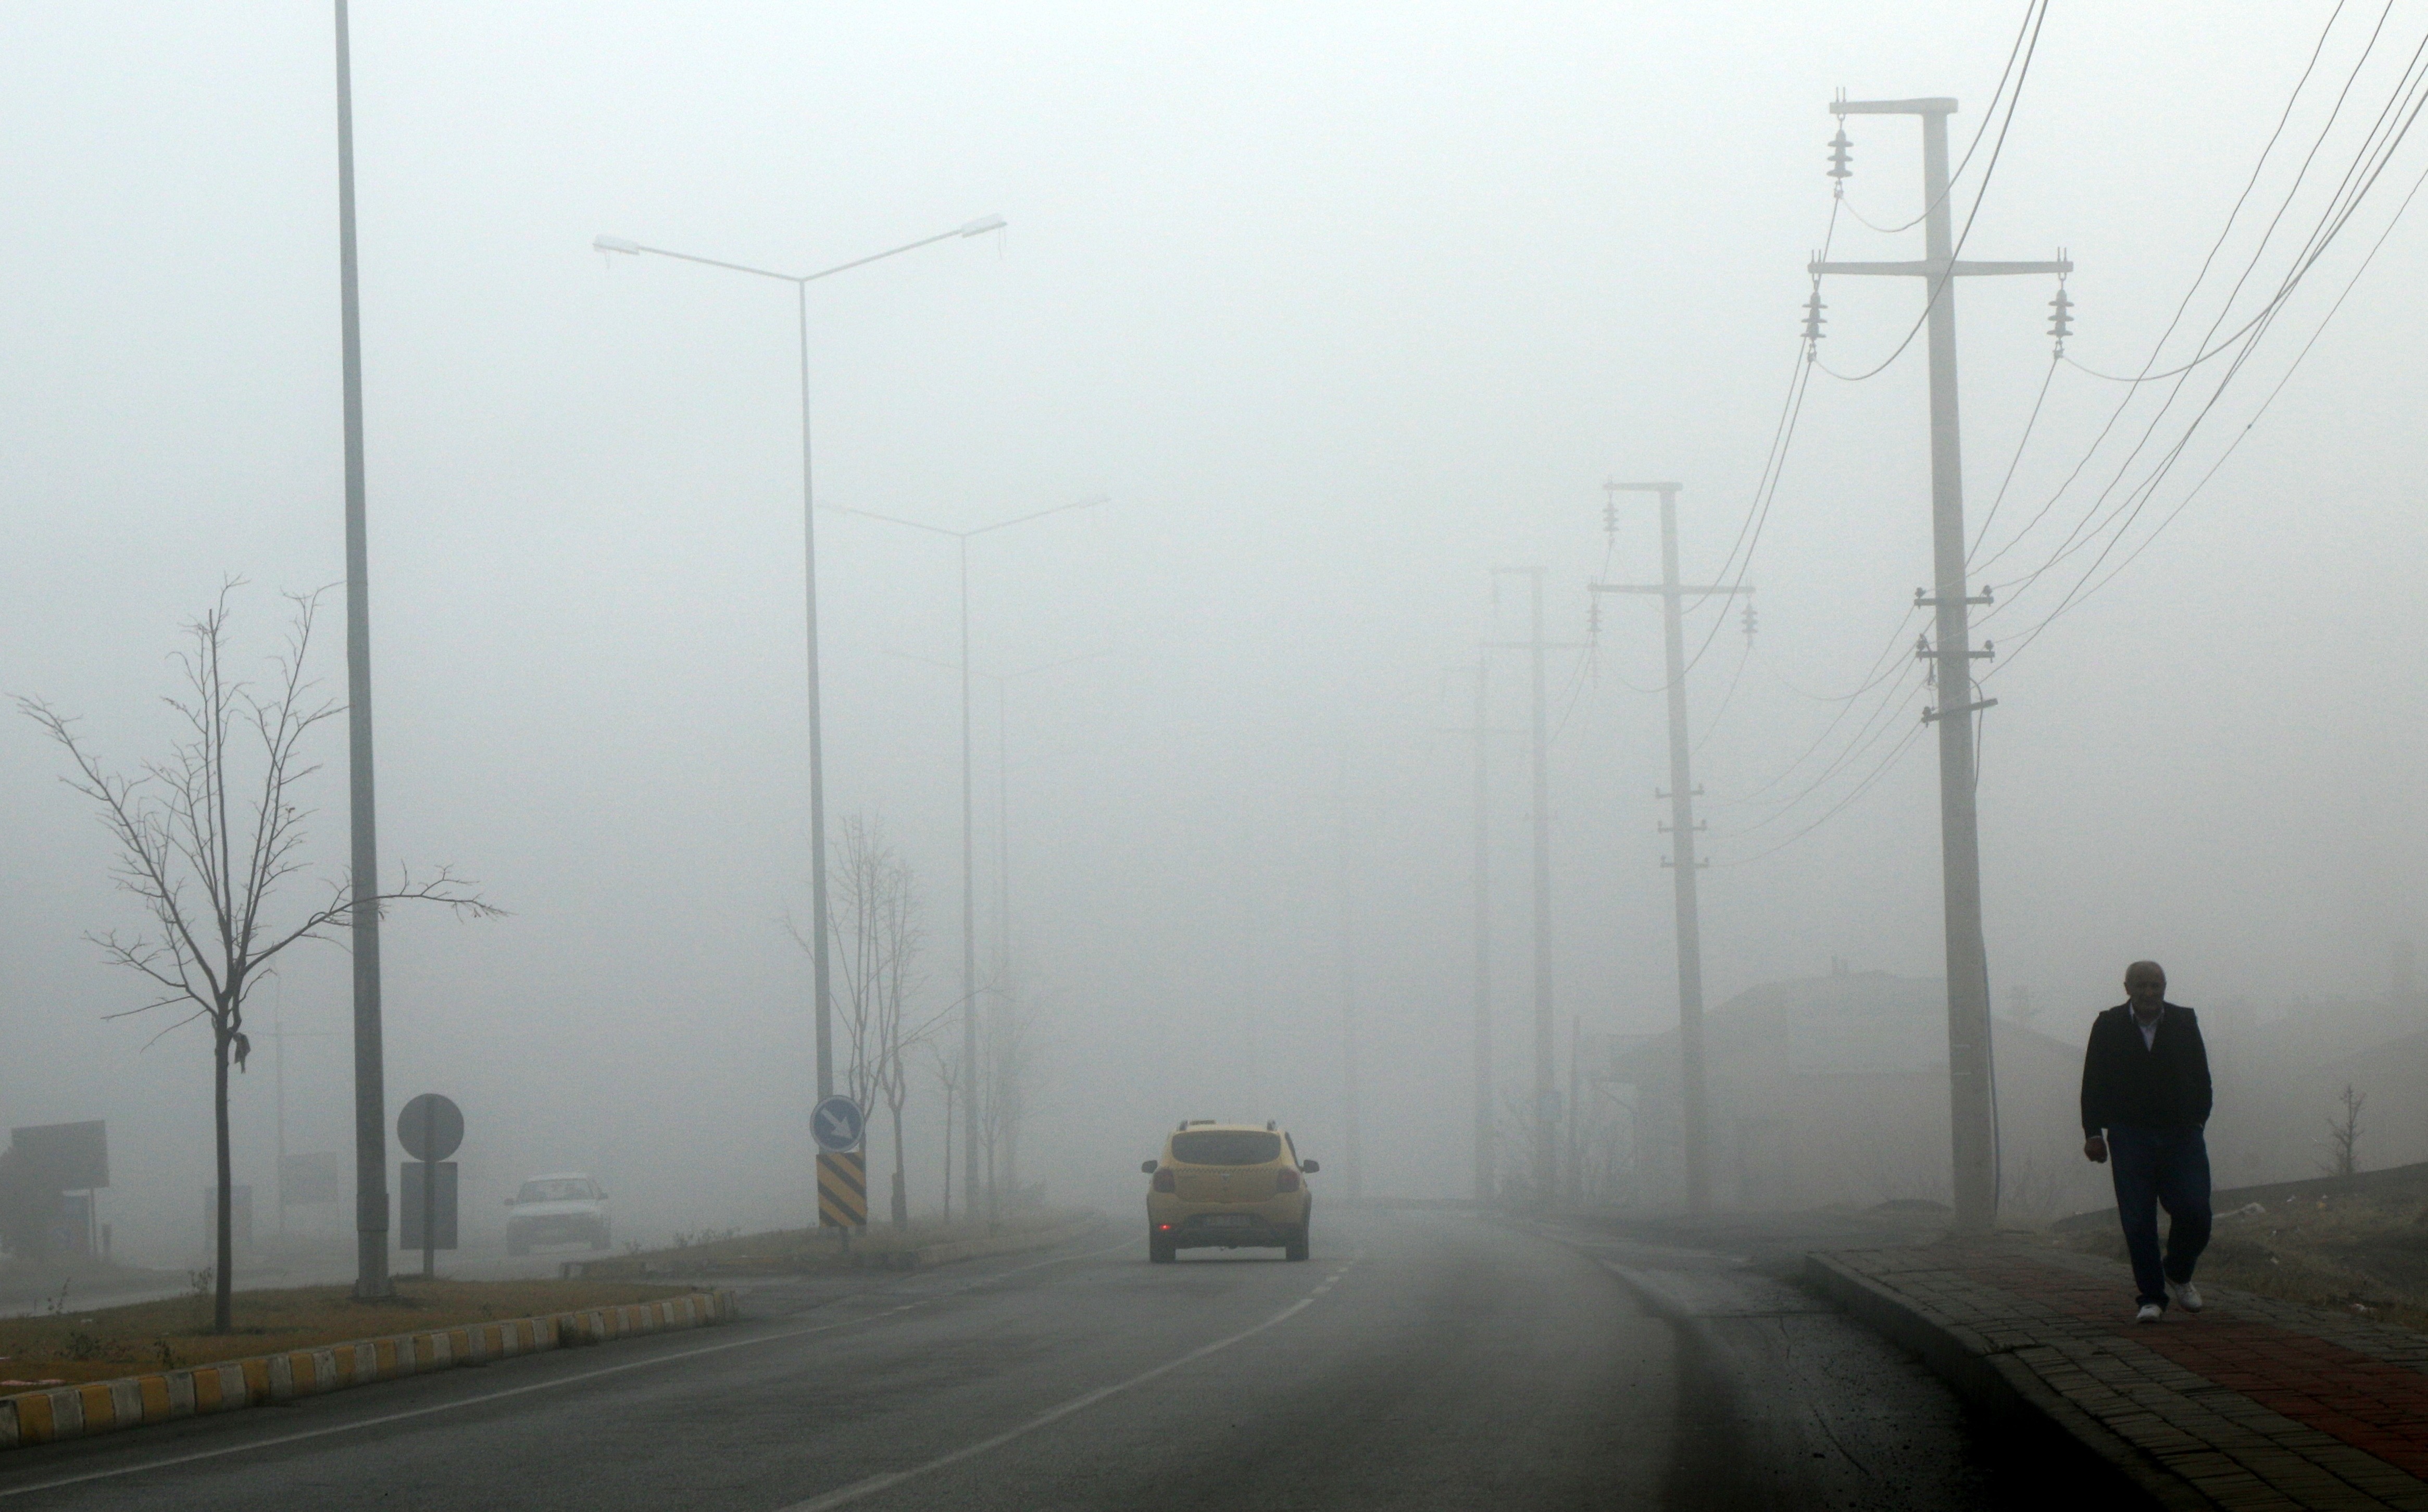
(135, 1402)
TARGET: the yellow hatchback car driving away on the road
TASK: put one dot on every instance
(1227, 1188)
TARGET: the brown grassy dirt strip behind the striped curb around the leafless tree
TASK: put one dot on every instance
(103, 1343)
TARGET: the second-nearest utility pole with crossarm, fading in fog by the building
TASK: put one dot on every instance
(1694, 1072)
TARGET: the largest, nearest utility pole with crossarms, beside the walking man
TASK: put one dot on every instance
(1970, 1096)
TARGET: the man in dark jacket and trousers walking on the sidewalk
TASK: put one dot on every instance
(2145, 1105)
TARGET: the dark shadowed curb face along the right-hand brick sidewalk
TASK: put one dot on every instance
(1992, 1380)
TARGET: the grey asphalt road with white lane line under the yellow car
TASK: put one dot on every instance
(1419, 1360)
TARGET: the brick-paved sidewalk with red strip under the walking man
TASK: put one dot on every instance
(2250, 1404)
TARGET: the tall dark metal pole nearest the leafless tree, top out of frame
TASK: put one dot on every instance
(370, 1062)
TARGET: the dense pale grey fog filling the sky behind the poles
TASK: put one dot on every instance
(1334, 312)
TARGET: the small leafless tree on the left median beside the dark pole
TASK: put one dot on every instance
(208, 839)
